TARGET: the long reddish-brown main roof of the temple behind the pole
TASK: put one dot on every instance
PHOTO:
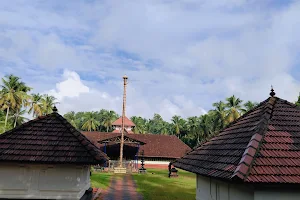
(160, 146)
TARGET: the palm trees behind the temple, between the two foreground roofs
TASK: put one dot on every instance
(191, 130)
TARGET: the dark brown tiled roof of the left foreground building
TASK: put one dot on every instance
(48, 139)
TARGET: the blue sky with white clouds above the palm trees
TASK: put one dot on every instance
(180, 56)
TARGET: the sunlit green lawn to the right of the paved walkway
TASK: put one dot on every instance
(157, 185)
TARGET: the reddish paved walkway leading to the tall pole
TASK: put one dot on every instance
(121, 188)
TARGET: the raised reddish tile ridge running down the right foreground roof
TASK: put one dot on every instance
(244, 167)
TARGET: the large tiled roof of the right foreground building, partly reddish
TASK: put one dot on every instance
(262, 146)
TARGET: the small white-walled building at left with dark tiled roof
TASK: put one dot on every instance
(46, 158)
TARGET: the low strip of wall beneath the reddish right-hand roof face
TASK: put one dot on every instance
(276, 195)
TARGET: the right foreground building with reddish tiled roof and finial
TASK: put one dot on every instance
(257, 157)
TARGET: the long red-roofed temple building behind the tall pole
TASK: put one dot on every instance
(158, 150)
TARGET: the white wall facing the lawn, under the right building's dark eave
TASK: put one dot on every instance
(211, 189)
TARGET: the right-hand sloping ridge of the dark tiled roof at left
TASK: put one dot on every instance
(89, 146)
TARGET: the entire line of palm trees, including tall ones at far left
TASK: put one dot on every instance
(16, 100)
